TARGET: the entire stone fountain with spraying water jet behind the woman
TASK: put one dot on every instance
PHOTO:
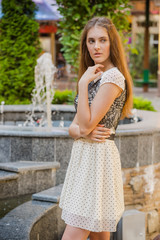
(138, 144)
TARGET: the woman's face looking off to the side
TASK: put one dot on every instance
(98, 44)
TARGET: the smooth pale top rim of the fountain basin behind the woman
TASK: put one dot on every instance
(149, 124)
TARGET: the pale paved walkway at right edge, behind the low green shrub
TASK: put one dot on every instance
(150, 95)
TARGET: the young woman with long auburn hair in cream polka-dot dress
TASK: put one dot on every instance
(92, 197)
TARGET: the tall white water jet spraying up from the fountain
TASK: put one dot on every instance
(43, 92)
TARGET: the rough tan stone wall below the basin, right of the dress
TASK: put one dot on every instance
(142, 192)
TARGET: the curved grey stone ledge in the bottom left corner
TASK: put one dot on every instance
(20, 222)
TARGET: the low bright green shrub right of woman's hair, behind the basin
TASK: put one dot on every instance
(143, 104)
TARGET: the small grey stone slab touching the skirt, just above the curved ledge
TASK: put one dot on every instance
(49, 195)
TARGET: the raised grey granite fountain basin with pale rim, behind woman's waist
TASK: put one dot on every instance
(137, 142)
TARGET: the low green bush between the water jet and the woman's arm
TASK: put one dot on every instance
(66, 96)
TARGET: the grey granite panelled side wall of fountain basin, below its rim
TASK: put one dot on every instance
(135, 148)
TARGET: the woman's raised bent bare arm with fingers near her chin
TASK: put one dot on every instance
(100, 105)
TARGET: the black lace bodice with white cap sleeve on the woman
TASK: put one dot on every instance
(112, 117)
